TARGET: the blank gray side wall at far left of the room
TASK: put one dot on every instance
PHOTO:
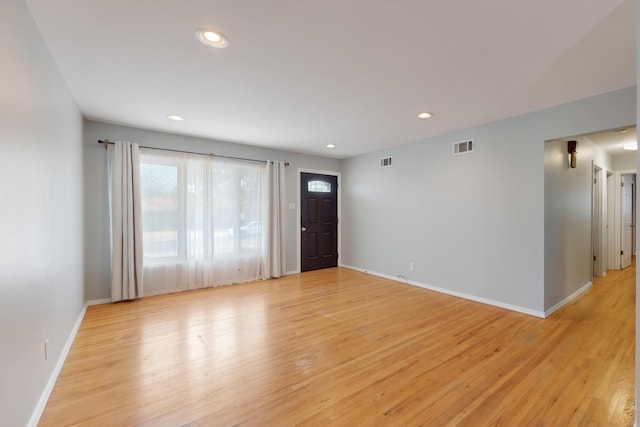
(41, 282)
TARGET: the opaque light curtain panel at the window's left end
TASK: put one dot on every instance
(126, 236)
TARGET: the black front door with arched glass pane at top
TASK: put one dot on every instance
(319, 221)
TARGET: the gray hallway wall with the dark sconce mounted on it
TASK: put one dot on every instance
(567, 218)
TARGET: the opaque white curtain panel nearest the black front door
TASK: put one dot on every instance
(275, 259)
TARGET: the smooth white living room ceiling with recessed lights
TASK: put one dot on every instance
(299, 74)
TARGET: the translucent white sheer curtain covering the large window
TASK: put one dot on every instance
(204, 221)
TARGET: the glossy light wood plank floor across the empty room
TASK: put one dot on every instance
(341, 348)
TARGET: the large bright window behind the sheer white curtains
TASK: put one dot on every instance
(195, 207)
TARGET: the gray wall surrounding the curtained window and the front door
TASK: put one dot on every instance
(96, 207)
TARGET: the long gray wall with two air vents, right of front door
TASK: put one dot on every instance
(472, 224)
